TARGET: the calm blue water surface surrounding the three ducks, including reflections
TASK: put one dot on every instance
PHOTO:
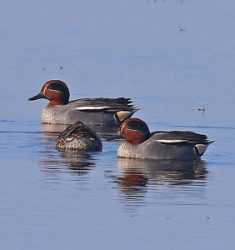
(172, 57)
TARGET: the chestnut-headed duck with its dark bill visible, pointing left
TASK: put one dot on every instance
(91, 111)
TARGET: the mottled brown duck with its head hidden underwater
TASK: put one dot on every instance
(78, 137)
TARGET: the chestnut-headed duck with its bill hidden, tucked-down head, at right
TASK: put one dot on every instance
(159, 145)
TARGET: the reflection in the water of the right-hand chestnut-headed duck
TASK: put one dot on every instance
(137, 175)
